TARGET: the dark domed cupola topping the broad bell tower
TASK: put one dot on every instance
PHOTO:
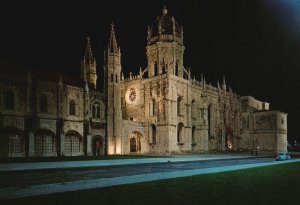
(165, 28)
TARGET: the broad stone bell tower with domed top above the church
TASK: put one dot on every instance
(165, 47)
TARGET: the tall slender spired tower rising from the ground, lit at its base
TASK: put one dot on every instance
(112, 85)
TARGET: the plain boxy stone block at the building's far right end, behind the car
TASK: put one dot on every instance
(262, 129)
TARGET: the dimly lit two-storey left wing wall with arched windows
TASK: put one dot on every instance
(29, 118)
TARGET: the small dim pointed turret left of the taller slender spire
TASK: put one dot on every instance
(88, 66)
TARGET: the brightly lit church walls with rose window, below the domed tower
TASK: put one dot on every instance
(202, 111)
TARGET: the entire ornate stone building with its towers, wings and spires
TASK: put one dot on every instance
(162, 110)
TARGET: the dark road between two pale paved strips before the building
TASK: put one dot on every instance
(37, 177)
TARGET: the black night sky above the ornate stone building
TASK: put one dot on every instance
(254, 43)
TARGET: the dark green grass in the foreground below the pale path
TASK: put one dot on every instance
(279, 184)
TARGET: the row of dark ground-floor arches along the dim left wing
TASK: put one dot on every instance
(44, 144)
